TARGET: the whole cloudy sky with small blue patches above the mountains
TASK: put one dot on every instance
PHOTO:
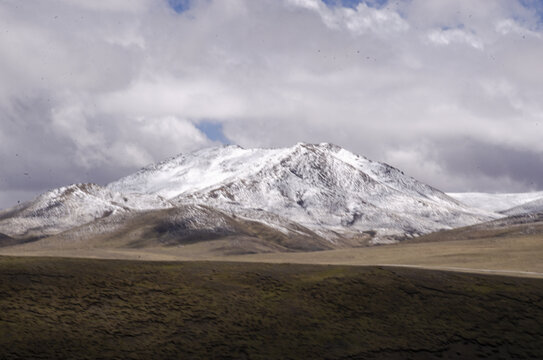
(448, 91)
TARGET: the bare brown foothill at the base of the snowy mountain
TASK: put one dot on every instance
(185, 226)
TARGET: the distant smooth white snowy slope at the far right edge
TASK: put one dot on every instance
(497, 202)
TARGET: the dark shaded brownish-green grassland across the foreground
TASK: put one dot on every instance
(60, 308)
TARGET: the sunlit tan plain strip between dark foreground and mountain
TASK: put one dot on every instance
(509, 255)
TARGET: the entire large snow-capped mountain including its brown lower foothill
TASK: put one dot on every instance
(309, 196)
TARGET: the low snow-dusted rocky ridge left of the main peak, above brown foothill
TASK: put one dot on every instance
(67, 207)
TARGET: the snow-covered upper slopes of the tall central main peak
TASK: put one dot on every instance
(322, 187)
